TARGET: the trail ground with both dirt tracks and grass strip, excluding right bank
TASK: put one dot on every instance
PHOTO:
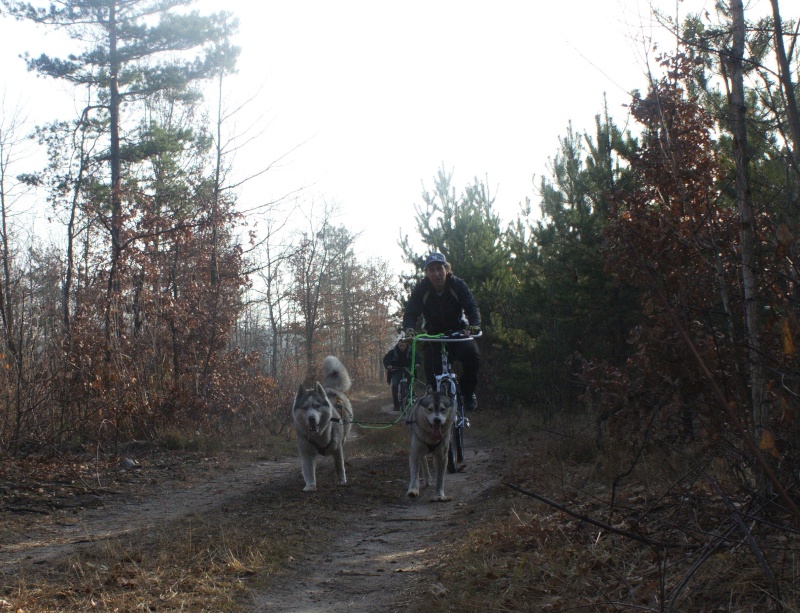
(157, 530)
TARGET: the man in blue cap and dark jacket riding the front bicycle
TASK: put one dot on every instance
(444, 300)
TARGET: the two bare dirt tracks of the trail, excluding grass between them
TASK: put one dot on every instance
(383, 554)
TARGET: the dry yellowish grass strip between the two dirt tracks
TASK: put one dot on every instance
(200, 563)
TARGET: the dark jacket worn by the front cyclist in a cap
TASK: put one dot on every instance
(445, 312)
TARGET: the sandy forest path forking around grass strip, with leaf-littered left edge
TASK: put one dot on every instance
(369, 546)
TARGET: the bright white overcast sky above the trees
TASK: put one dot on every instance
(359, 103)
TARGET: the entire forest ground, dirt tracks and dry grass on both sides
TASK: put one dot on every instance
(540, 520)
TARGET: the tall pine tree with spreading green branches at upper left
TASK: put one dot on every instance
(126, 60)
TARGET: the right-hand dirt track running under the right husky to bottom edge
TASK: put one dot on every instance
(389, 549)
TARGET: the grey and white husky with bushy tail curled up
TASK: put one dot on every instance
(322, 418)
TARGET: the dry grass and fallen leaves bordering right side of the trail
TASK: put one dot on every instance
(525, 555)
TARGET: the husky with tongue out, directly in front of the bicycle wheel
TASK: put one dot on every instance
(431, 424)
